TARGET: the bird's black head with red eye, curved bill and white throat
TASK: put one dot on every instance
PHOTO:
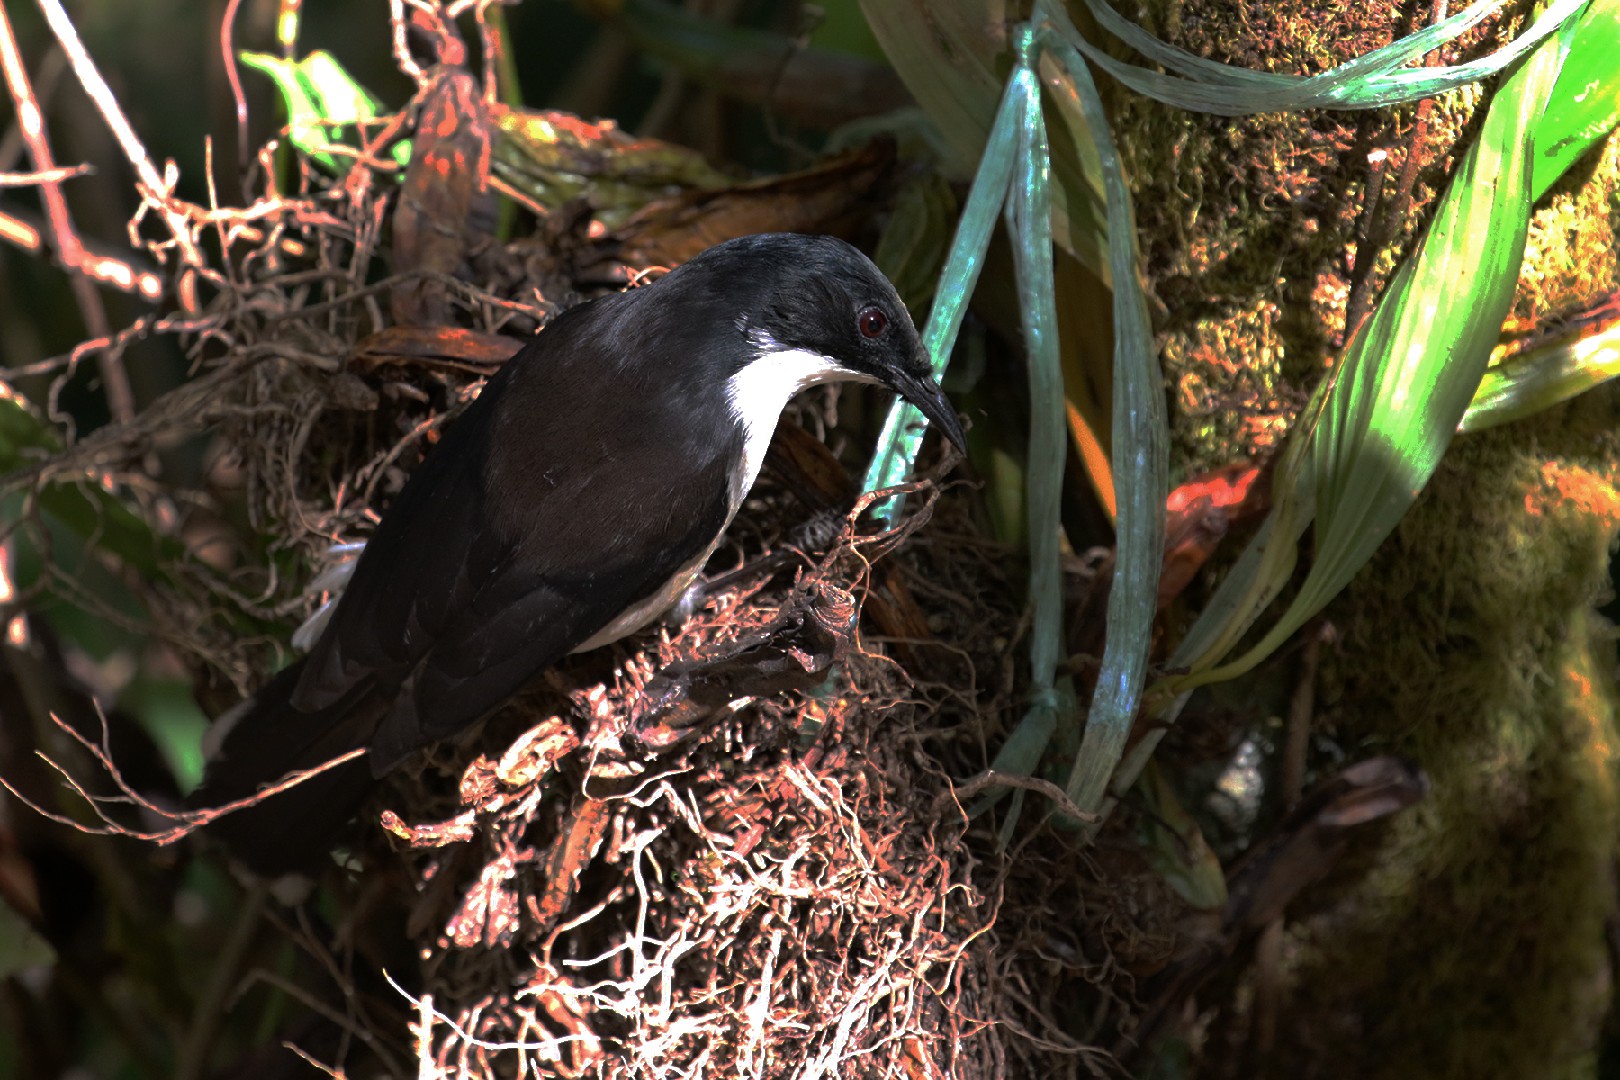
(817, 310)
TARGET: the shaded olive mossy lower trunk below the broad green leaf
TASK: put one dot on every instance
(1473, 940)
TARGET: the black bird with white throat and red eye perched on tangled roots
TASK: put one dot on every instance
(571, 504)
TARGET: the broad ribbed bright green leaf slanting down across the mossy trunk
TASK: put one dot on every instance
(1402, 386)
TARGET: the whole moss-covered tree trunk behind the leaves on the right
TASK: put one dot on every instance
(1469, 937)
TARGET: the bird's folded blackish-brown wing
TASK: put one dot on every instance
(532, 527)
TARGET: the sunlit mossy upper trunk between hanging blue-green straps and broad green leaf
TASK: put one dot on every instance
(1253, 227)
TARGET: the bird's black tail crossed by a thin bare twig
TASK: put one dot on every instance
(270, 739)
